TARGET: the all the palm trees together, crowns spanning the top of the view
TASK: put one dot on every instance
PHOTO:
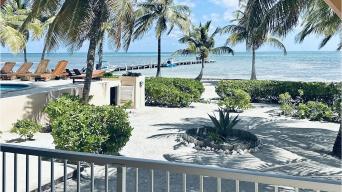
(71, 23)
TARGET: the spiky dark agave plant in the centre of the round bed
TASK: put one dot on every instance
(224, 124)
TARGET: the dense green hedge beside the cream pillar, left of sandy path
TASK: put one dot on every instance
(172, 92)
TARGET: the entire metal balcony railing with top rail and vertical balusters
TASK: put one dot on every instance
(122, 163)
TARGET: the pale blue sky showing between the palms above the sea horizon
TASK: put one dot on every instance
(220, 13)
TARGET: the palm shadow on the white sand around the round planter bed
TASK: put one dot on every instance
(286, 149)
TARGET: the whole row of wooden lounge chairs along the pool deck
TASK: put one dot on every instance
(60, 72)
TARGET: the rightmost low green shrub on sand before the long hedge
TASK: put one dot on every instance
(318, 111)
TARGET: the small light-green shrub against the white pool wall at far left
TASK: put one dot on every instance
(26, 128)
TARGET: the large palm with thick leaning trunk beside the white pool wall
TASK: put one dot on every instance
(76, 22)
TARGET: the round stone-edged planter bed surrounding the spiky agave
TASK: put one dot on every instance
(239, 141)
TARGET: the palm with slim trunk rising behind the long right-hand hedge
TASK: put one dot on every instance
(247, 29)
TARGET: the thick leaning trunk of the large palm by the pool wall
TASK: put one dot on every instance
(89, 70)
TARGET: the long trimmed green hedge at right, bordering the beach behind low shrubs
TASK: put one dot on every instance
(269, 91)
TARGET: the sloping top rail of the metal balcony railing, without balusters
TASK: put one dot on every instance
(226, 173)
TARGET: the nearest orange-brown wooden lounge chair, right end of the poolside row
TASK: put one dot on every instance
(58, 72)
